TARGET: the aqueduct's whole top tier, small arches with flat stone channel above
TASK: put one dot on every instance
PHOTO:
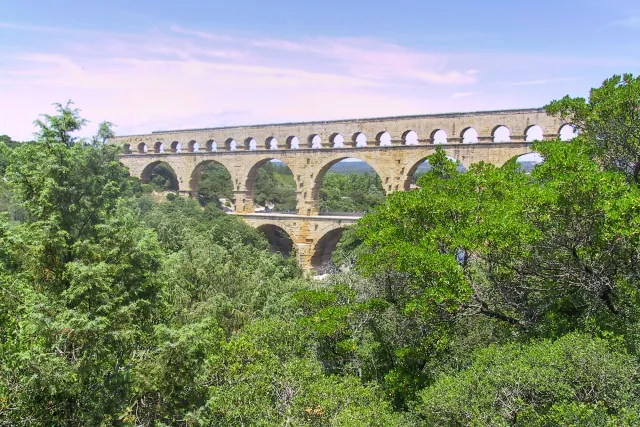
(329, 135)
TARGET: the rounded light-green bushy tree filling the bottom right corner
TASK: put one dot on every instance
(576, 380)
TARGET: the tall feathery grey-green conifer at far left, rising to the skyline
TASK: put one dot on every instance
(78, 288)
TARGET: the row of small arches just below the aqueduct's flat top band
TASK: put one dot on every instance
(468, 135)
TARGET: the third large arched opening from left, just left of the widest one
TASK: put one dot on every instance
(273, 186)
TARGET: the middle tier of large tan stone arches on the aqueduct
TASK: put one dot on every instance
(394, 166)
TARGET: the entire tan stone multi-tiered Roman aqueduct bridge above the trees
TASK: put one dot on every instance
(394, 147)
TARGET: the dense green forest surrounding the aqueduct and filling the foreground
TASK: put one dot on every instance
(491, 297)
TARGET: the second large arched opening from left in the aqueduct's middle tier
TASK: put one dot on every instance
(214, 185)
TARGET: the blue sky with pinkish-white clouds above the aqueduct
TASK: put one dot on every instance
(148, 65)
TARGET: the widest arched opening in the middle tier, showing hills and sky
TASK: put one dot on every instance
(348, 185)
